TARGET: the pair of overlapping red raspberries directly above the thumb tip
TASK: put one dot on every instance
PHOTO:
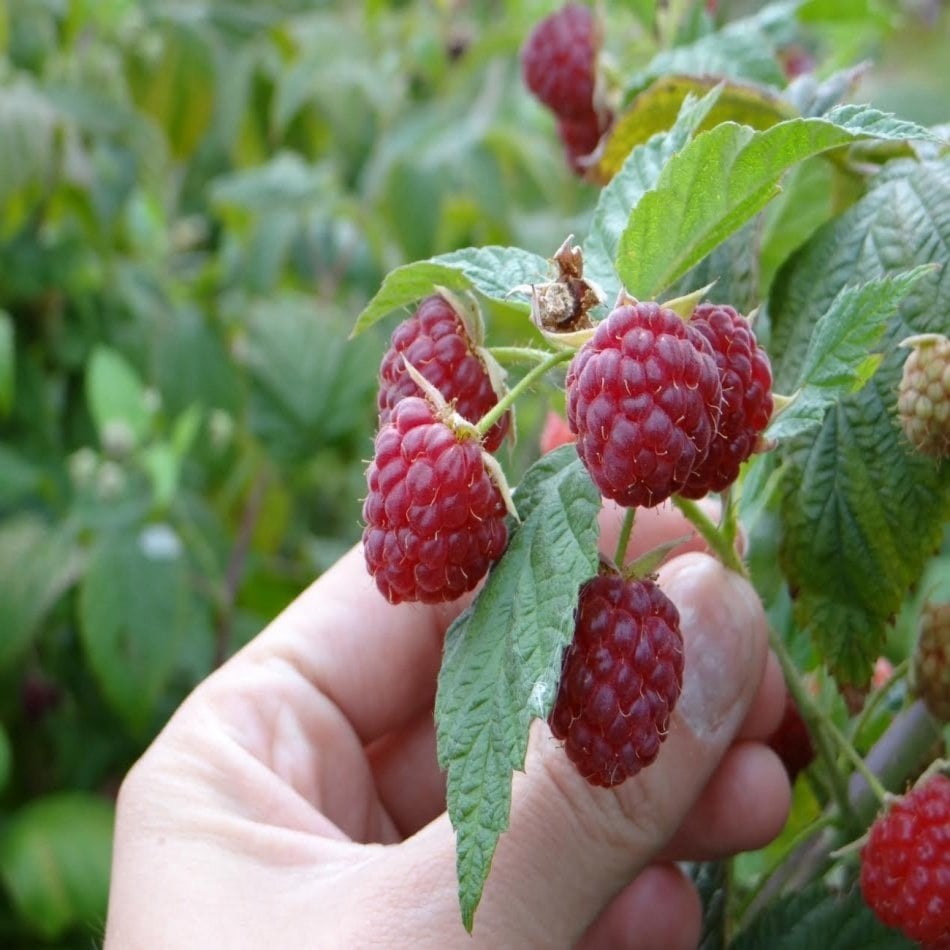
(663, 406)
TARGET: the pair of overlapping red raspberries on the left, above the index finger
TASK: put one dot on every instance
(434, 515)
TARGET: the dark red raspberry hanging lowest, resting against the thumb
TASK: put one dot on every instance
(620, 678)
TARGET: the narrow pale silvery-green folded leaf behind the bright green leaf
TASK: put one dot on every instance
(638, 175)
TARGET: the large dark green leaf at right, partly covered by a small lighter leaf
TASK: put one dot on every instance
(861, 512)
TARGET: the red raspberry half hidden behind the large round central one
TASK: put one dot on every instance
(746, 378)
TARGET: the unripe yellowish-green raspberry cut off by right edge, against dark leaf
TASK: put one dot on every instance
(924, 401)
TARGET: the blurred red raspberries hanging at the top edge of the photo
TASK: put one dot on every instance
(558, 63)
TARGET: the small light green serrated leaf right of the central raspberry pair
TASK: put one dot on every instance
(837, 361)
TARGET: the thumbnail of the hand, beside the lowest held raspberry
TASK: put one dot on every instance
(723, 630)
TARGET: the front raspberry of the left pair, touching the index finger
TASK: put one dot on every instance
(435, 519)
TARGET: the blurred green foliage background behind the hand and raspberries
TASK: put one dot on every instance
(196, 199)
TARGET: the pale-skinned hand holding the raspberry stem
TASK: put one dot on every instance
(294, 800)
